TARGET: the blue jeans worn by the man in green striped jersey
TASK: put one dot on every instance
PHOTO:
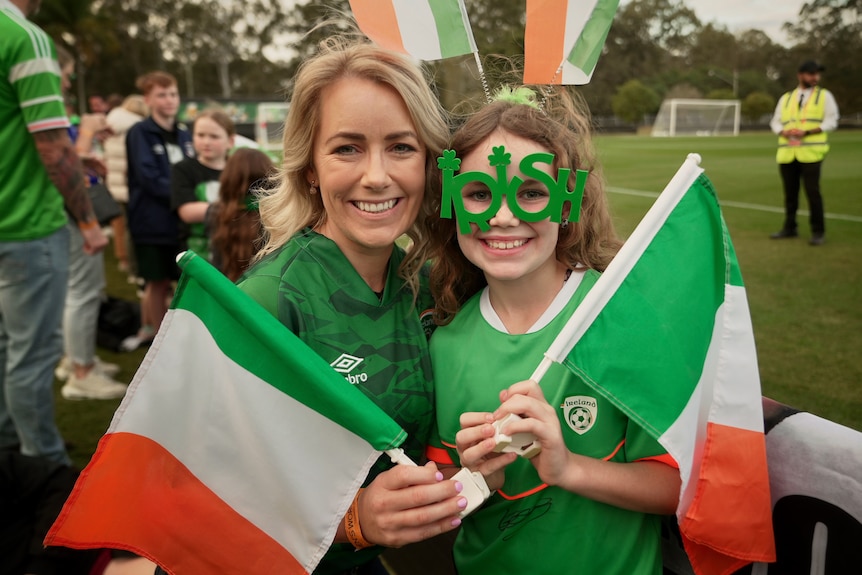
(33, 276)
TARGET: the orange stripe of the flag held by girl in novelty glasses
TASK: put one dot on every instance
(730, 493)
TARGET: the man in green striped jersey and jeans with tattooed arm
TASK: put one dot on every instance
(40, 175)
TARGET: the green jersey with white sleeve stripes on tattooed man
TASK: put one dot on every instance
(30, 101)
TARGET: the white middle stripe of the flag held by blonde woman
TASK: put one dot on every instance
(242, 437)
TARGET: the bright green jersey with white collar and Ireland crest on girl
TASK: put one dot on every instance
(527, 526)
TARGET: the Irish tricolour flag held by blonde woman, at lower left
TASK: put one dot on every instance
(237, 449)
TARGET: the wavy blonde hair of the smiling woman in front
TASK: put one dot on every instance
(289, 206)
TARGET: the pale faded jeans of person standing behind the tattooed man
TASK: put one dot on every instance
(83, 298)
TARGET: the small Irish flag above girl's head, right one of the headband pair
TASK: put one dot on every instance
(564, 39)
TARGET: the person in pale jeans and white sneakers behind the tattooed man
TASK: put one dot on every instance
(85, 286)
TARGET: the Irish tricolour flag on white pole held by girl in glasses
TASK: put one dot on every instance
(666, 335)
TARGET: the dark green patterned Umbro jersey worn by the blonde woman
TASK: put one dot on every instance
(379, 343)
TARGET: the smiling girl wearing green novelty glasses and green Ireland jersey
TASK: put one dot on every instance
(505, 284)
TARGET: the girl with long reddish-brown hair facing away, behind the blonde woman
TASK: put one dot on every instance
(234, 221)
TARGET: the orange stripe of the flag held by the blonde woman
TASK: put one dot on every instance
(179, 521)
